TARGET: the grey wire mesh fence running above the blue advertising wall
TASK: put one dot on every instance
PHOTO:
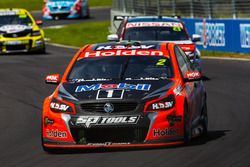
(186, 8)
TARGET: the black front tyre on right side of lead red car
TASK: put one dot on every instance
(187, 125)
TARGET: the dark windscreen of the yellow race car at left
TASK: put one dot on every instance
(15, 19)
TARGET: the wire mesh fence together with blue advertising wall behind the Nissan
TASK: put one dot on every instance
(223, 24)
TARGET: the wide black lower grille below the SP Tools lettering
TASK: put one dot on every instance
(111, 134)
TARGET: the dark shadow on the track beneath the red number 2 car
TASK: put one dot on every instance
(211, 136)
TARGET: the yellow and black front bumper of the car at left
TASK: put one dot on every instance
(22, 44)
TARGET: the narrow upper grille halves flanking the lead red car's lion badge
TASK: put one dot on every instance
(118, 107)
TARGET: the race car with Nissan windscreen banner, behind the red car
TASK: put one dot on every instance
(157, 28)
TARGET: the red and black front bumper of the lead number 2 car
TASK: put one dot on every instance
(151, 130)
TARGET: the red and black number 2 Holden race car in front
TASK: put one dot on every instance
(120, 95)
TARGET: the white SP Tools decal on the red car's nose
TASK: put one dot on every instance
(88, 121)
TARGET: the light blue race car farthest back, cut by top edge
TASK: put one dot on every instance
(71, 9)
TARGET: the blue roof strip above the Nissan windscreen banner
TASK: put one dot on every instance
(152, 19)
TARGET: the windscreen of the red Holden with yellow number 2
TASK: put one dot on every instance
(122, 68)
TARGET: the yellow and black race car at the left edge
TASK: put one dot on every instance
(19, 32)
